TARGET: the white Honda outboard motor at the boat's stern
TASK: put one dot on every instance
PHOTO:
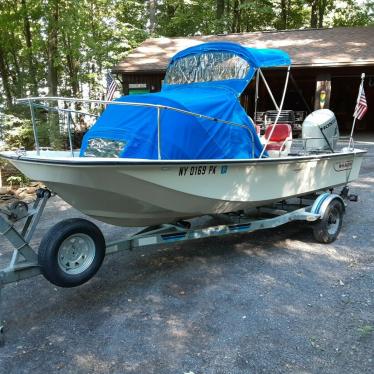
(320, 131)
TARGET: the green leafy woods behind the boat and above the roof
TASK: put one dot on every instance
(65, 47)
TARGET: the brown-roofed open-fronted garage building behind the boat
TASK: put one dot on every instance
(329, 60)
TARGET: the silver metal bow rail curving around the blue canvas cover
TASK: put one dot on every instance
(29, 100)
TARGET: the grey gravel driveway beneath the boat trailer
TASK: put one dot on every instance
(268, 302)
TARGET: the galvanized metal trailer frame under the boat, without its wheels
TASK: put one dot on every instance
(24, 260)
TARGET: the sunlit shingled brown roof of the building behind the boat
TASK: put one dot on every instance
(345, 46)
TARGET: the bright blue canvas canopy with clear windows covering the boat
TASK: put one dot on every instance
(206, 79)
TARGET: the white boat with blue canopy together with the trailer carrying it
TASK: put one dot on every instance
(158, 160)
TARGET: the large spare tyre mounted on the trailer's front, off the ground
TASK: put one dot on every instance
(71, 252)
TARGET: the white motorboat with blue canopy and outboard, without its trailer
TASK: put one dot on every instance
(191, 150)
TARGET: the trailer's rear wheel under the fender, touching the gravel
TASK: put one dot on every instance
(327, 229)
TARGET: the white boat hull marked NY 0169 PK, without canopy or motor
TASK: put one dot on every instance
(127, 192)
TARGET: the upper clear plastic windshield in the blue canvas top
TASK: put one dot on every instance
(207, 67)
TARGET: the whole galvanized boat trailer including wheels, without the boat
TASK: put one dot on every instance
(72, 251)
